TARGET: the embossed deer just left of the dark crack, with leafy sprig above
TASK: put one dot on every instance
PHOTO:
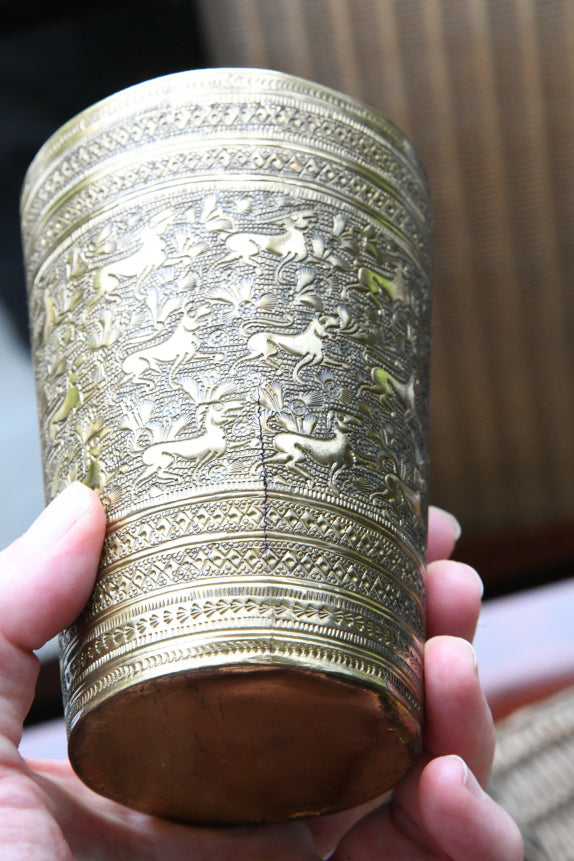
(214, 411)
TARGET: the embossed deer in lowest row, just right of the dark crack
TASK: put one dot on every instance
(333, 451)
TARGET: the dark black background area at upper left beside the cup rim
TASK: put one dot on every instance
(55, 60)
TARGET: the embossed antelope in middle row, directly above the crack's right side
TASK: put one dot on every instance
(308, 345)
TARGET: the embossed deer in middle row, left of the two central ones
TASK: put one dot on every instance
(181, 346)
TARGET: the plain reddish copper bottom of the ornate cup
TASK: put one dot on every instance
(244, 745)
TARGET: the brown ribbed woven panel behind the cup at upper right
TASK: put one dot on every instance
(485, 89)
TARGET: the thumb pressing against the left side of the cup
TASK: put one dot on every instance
(46, 577)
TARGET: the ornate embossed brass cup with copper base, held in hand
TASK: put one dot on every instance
(228, 289)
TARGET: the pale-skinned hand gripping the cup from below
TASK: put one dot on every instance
(439, 811)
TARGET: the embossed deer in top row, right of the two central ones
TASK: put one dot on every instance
(289, 245)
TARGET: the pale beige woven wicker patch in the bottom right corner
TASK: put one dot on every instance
(533, 777)
